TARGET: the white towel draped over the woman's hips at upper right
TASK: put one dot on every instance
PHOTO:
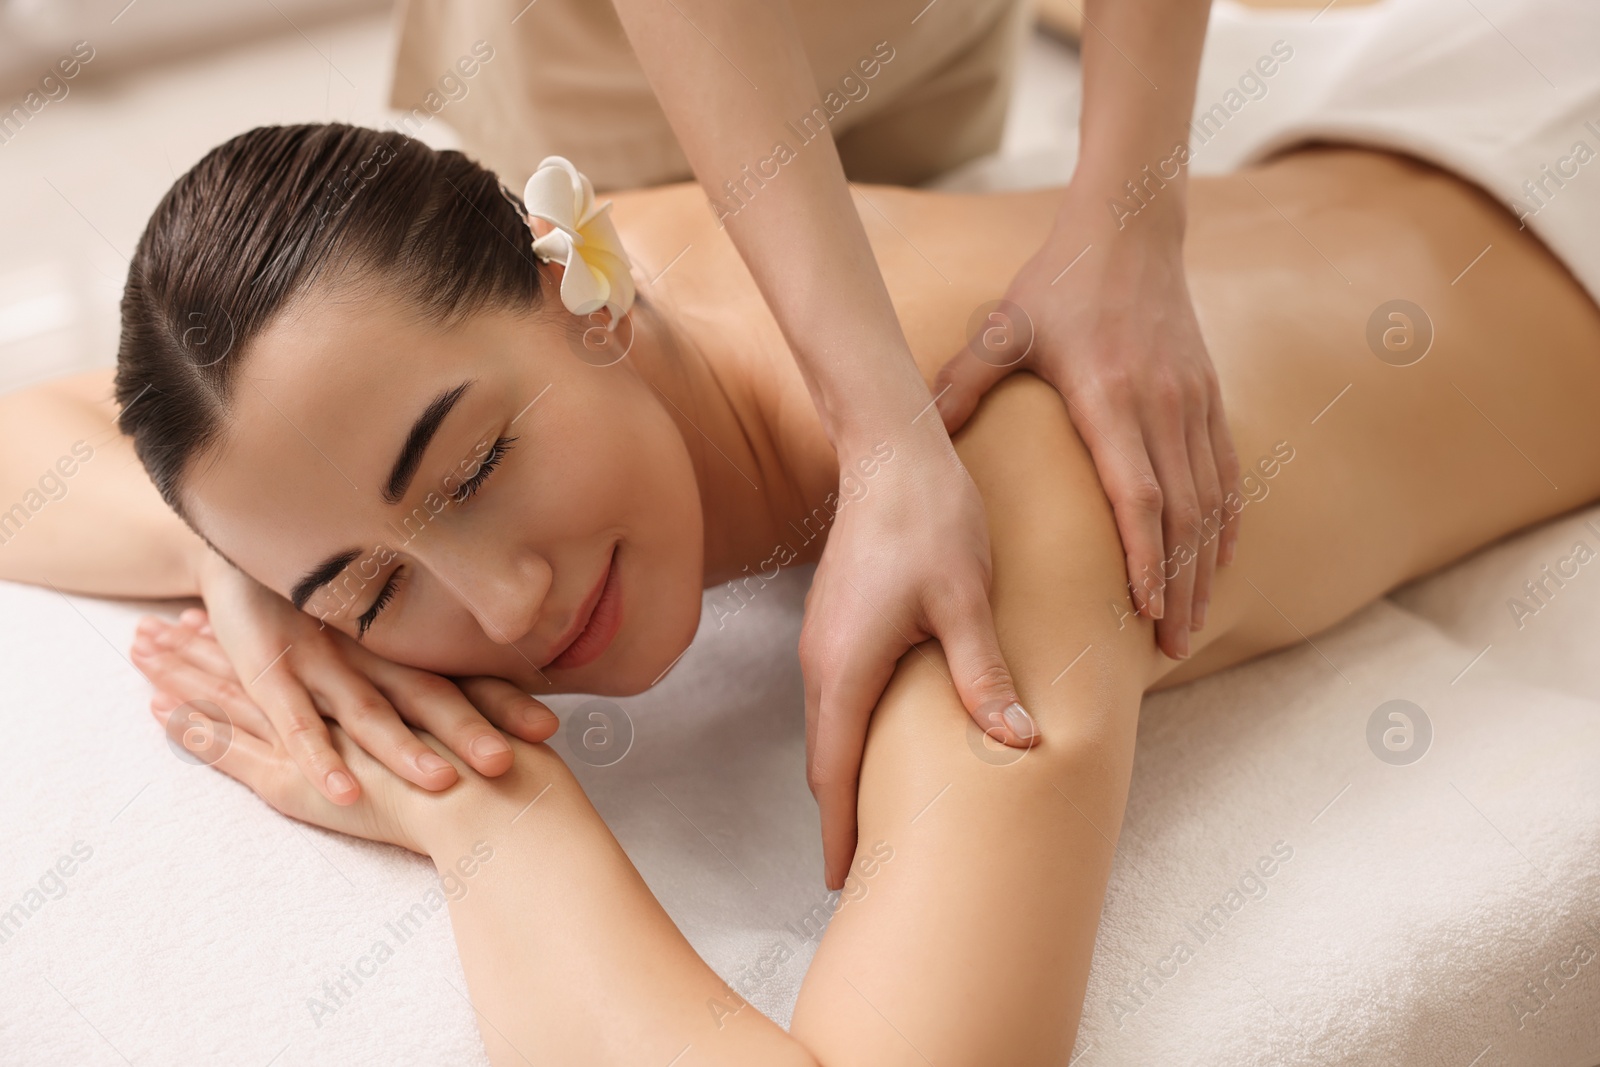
(1503, 94)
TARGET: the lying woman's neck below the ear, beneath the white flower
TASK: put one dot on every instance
(756, 486)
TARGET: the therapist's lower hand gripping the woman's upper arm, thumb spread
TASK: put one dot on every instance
(906, 562)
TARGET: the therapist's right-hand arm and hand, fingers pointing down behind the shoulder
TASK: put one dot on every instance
(1105, 314)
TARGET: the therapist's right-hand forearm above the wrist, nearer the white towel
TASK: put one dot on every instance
(1142, 60)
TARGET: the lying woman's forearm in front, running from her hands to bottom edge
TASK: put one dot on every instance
(569, 957)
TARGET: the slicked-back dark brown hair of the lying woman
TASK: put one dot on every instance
(257, 222)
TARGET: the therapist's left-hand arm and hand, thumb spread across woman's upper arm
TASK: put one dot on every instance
(911, 559)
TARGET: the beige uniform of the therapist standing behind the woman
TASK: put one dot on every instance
(911, 89)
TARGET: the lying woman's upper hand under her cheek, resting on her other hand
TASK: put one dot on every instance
(300, 671)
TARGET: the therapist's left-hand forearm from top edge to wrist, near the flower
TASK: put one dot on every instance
(799, 233)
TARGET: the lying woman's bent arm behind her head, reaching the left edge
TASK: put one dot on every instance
(78, 511)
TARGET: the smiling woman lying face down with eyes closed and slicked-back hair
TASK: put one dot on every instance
(551, 479)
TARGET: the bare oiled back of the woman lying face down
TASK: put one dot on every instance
(1391, 466)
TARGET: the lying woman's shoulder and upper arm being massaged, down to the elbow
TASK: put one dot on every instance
(970, 914)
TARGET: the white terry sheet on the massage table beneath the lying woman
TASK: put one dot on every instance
(1418, 903)
